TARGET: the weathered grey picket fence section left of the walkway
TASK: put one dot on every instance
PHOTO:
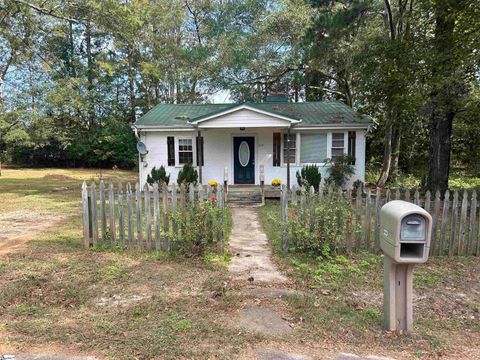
(142, 218)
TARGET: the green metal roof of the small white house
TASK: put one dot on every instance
(310, 113)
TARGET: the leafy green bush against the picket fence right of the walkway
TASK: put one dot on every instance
(328, 232)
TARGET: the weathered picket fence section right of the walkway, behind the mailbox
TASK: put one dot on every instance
(455, 216)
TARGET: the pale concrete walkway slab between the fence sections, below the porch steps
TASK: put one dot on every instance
(252, 255)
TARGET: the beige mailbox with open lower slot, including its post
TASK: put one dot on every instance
(405, 231)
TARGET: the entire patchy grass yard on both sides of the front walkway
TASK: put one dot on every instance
(55, 296)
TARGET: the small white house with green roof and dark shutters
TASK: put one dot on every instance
(248, 142)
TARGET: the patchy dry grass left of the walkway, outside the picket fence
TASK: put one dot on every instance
(119, 305)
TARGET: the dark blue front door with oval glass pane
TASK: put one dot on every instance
(244, 160)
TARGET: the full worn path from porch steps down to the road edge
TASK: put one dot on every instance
(263, 288)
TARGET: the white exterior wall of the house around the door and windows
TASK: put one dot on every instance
(218, 147)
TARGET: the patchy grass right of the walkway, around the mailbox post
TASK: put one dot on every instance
(346, 300)
